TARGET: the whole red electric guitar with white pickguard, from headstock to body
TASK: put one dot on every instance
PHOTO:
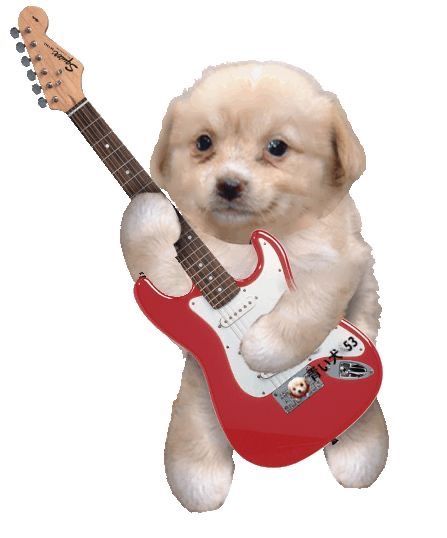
(270, 419)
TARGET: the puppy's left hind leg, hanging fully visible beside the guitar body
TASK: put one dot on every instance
(198, 457)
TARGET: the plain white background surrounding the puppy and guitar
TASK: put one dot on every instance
(86, 383)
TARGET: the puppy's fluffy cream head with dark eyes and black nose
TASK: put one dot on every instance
(256, 145)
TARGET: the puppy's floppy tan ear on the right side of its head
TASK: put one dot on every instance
(350, 160)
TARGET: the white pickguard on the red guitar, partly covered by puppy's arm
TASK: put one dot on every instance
(264, 293)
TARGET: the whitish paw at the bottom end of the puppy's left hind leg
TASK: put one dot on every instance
(200, 485)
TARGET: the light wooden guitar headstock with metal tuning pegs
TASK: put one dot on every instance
(57, 71)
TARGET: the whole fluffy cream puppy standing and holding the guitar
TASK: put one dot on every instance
(260, 145)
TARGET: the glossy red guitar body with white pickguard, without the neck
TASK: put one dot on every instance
(262, 418)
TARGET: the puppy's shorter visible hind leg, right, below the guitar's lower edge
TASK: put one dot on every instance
(360, 454)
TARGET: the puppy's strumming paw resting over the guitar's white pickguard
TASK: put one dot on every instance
(264, 350)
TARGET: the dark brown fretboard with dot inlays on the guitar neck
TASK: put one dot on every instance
(216, 284)
